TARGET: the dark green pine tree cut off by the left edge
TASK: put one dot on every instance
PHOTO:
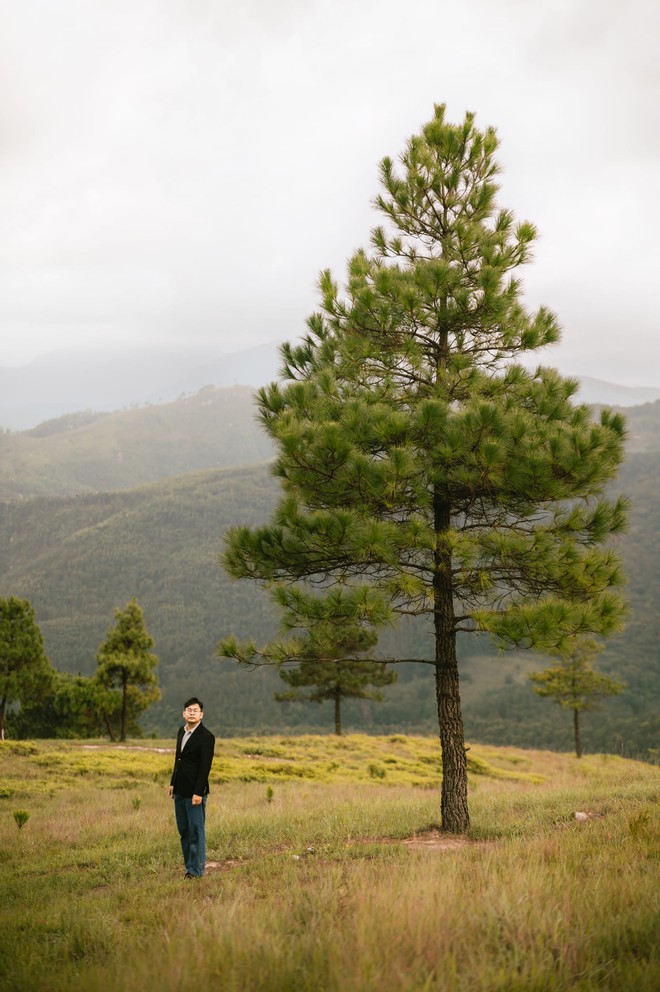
(23, 662)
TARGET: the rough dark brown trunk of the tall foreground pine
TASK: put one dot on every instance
(454, 804)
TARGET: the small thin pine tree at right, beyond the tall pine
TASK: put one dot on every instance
(574, 684)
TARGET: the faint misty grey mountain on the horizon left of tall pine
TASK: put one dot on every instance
(65, 382)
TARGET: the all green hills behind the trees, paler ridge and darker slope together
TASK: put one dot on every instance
(97, 508)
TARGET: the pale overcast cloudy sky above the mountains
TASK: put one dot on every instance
(182, 169)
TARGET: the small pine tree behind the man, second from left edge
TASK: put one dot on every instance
(125, 662)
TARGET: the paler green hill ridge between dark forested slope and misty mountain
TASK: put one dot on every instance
(90, 452)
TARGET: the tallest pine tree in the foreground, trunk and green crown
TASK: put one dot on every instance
(425, 471)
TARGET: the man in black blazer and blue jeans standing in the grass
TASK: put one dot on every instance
(189, 785)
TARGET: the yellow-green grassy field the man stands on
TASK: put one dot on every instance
(326, 871)
